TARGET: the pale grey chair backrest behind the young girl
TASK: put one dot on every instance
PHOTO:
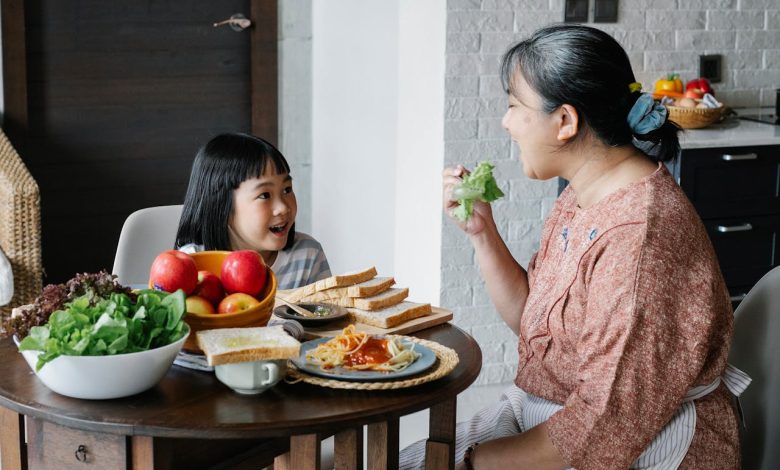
(145, 234)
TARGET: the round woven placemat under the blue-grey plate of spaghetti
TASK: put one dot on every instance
(446, 360)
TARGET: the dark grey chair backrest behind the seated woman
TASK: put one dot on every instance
(756, 350)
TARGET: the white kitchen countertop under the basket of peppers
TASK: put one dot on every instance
(733, 132)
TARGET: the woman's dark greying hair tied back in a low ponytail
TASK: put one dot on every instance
(589, 70)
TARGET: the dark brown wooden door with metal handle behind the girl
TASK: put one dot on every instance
(108, 103)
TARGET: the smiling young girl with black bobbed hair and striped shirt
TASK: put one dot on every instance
(240, 197)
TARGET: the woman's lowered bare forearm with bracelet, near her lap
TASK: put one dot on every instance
(531, 449)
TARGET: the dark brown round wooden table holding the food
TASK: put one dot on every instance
(192, 420)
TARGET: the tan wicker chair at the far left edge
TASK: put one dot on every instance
(20, 226)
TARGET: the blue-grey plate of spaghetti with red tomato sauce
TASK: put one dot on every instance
(359, 356)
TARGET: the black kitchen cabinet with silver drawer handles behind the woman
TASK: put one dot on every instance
(736, 191)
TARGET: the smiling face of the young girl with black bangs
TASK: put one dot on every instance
(264, 209)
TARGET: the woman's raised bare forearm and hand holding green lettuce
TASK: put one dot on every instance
(505, 279)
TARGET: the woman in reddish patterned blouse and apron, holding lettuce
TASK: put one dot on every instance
(623, 319)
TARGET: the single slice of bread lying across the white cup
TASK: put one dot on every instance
(230, 345)
